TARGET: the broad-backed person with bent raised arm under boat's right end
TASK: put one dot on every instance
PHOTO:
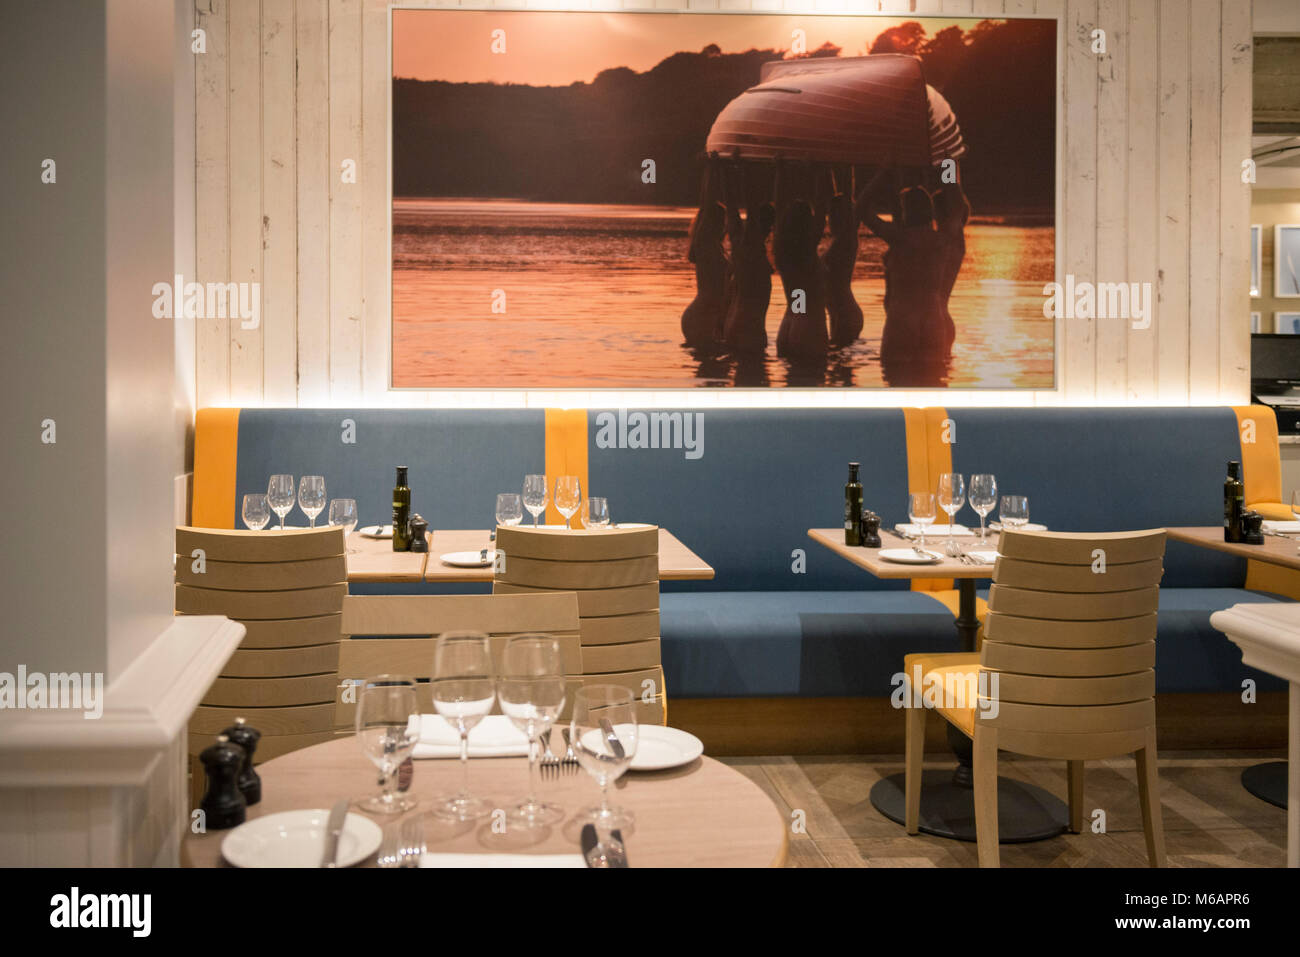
(918, 328)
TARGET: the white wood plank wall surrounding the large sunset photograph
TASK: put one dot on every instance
(1151, 146)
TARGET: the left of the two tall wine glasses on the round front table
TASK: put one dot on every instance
(463, 694)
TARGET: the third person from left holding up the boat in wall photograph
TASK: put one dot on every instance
(799, 231)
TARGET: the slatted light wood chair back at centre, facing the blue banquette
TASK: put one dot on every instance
(616, 574)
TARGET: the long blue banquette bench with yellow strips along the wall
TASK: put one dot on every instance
(785, 620)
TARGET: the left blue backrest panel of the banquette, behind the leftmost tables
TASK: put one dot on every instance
(460, 460)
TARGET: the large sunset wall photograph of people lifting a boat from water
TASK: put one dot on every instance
(671, 201)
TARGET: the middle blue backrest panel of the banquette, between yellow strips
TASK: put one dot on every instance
(765, 478)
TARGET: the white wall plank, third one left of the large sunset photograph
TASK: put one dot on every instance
(311, 128)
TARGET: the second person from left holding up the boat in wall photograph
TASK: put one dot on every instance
(746, 330)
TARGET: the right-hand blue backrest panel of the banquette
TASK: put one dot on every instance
(1107, 470)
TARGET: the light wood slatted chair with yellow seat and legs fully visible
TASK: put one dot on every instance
(1067, 672)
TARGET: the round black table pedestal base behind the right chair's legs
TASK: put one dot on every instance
(1025, 812)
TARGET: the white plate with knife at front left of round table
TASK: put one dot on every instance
(297, 839)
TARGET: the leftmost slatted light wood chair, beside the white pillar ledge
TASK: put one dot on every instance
(287, 588)
